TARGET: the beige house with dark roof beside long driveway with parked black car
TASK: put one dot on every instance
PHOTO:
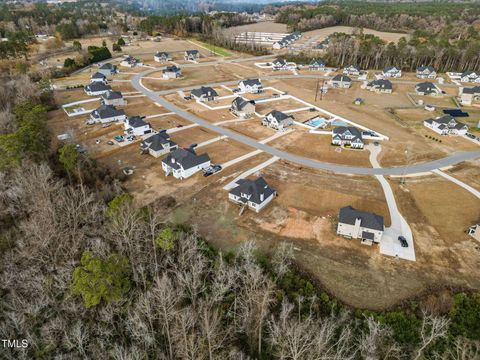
(355, 224)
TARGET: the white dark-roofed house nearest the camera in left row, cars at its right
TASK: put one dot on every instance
(183, 163)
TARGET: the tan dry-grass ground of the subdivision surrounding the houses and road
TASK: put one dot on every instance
(306, 209)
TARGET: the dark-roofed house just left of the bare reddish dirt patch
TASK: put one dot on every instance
(256, 194)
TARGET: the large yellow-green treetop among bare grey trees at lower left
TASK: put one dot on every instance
(96, 279)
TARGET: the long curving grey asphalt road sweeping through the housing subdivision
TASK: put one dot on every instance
(418, 168)
